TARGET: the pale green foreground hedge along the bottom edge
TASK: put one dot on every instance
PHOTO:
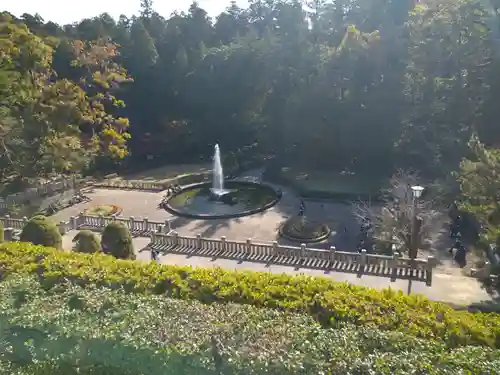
(68, 329)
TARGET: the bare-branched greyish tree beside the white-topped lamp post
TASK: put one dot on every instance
(399, 220)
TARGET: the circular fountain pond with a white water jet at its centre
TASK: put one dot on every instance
(239, 198)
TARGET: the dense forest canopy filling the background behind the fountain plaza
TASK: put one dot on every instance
(336, 84)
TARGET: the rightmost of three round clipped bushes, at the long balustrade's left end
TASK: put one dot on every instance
(117, 241)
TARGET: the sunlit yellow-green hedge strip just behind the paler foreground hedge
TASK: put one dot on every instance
(327, 301)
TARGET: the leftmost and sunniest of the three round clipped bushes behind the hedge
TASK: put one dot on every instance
(41, 231)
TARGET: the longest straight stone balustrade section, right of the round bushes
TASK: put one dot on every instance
(394, 267)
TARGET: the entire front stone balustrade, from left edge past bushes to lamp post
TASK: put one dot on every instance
(164, 239)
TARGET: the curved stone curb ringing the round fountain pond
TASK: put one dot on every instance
(228, 184)
